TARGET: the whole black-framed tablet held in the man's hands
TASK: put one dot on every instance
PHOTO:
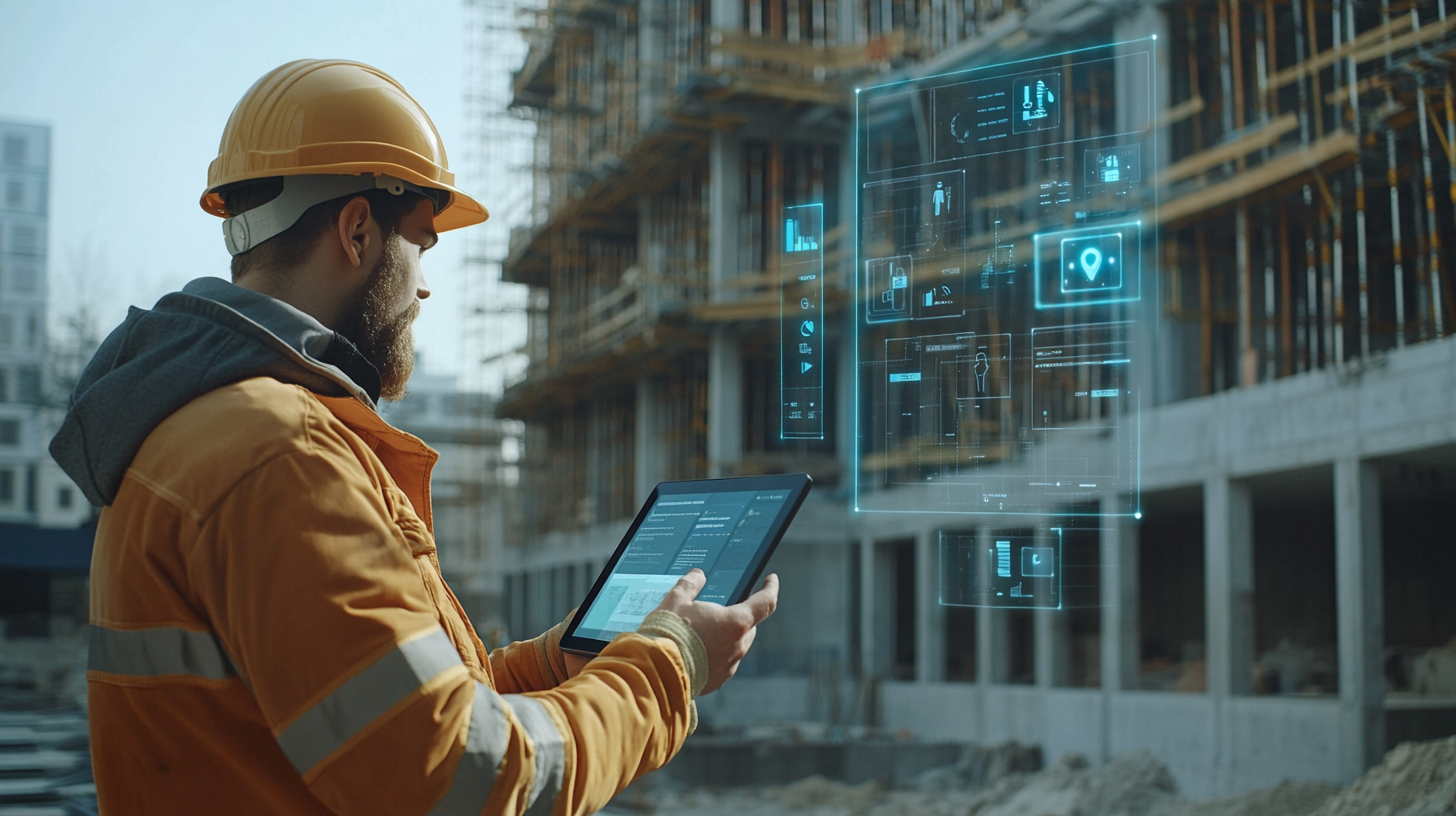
(726, 528)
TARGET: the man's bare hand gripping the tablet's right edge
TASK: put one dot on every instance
(727, 632)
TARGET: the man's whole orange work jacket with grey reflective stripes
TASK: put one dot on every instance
(272, 635)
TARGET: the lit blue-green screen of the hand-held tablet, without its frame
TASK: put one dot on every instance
(717, 533)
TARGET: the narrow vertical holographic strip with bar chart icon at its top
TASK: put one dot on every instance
(802, 323)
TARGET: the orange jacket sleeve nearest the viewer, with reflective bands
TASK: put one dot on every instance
(314, 589)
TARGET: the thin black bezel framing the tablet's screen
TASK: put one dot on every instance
(799, 484)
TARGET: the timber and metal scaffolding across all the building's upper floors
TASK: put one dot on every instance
(1307, 202)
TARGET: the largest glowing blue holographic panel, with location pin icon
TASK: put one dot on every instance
(1007, 231)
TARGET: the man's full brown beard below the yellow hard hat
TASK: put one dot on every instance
(385, 337)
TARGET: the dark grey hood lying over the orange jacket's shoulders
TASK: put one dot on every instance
(194, 342)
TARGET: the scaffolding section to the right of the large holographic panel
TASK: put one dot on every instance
(1297, 152)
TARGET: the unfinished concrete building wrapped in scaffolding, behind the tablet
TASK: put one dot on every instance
(1281, 610)
